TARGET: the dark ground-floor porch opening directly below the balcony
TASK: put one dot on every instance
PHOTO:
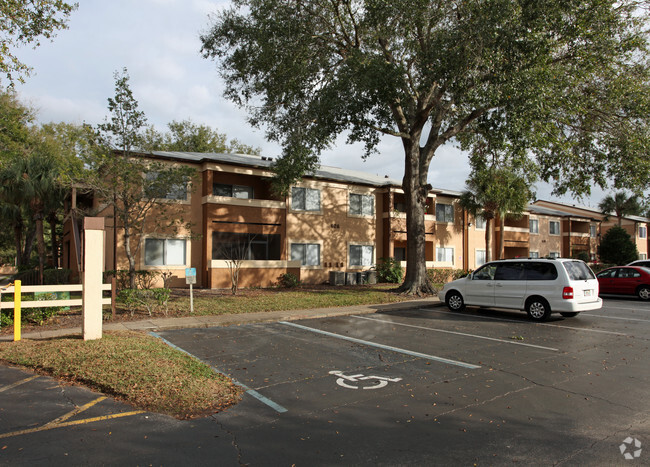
(245, 246)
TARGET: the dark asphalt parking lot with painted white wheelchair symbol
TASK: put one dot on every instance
(423, 386)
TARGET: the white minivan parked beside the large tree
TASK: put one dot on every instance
(539, 286)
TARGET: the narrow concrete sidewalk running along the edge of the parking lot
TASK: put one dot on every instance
(164, 324)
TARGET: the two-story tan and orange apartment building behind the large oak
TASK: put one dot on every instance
(333, 220)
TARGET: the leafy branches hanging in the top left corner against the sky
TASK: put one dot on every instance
(27, 23)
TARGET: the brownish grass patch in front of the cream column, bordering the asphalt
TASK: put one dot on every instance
(130, 366)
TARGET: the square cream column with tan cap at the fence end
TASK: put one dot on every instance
(92, 277)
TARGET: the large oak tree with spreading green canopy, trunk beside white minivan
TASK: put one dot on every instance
(566, 78)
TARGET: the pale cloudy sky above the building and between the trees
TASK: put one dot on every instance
(158, 42)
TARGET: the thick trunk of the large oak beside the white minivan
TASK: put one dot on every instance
(416, 189)
